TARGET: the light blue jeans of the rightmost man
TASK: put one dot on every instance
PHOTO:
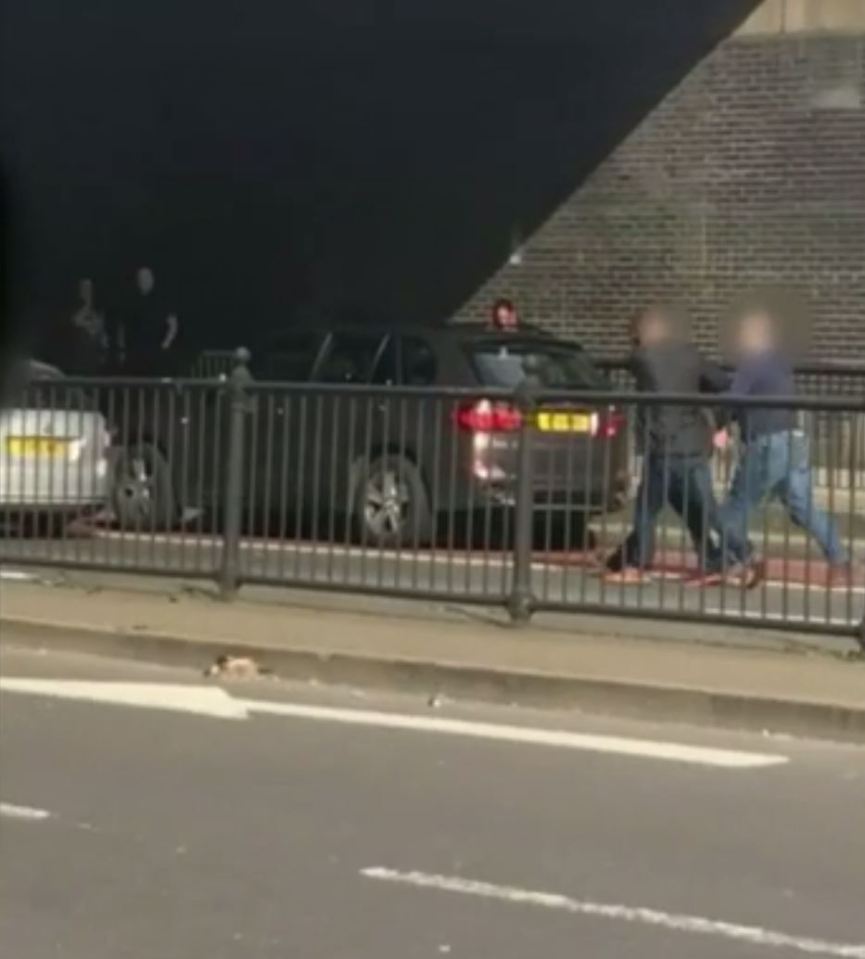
(777, 466)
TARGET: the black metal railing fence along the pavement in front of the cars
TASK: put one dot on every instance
(510, 498)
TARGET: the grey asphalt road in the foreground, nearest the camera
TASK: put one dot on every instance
(143, 833)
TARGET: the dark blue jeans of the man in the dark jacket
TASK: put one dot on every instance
(685, 482)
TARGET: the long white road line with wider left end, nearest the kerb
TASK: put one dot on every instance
(215, 701)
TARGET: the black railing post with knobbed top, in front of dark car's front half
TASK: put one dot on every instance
(238, 408)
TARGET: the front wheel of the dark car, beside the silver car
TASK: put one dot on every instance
(143, 495)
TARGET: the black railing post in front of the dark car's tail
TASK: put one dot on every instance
(521, 600)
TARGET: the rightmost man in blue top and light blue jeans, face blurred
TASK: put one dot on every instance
(775, 457)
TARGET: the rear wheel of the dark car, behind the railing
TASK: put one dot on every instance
(392, 505)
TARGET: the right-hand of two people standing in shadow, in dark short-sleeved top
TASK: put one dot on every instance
(147, 338)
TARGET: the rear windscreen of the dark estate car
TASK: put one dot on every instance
(556, 365)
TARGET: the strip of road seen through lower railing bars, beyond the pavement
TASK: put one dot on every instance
(795, 591)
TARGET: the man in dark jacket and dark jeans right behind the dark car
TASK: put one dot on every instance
(676, 442)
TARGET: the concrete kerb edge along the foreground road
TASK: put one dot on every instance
(590, 694)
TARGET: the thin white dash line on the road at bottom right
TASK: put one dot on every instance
(675, 922)
